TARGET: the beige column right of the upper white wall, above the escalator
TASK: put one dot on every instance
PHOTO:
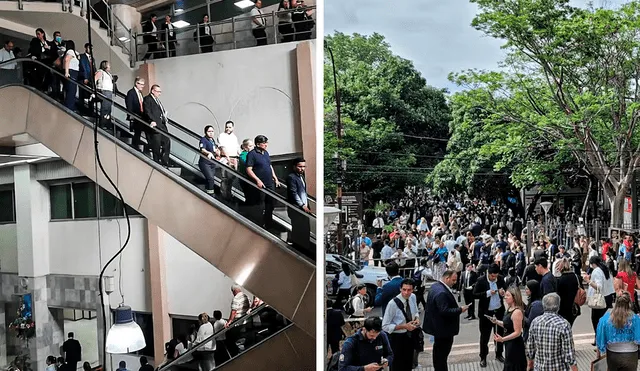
(306, 98)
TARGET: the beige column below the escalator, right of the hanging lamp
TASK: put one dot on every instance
(159, 303)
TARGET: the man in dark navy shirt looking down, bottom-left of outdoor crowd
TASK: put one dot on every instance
(368, 349)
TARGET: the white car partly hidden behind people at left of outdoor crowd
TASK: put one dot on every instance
(370, 275)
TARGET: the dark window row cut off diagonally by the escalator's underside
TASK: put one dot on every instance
(78, 201)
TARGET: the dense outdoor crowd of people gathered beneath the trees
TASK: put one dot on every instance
(474, 250)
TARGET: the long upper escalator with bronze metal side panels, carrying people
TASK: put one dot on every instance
(221, 229)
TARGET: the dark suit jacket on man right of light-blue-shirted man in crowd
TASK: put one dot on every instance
(442, 313)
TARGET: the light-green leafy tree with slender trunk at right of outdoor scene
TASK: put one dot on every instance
(571, 79)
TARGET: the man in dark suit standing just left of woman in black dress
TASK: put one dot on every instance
(490, 290)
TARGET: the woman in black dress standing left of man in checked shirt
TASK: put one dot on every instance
(513, 323)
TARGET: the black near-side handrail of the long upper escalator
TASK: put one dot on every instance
(271, 193)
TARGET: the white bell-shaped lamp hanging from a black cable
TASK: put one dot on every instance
(125, 336)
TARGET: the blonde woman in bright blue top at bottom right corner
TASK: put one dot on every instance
(618, 335)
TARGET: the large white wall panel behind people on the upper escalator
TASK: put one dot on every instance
(260, 97)
